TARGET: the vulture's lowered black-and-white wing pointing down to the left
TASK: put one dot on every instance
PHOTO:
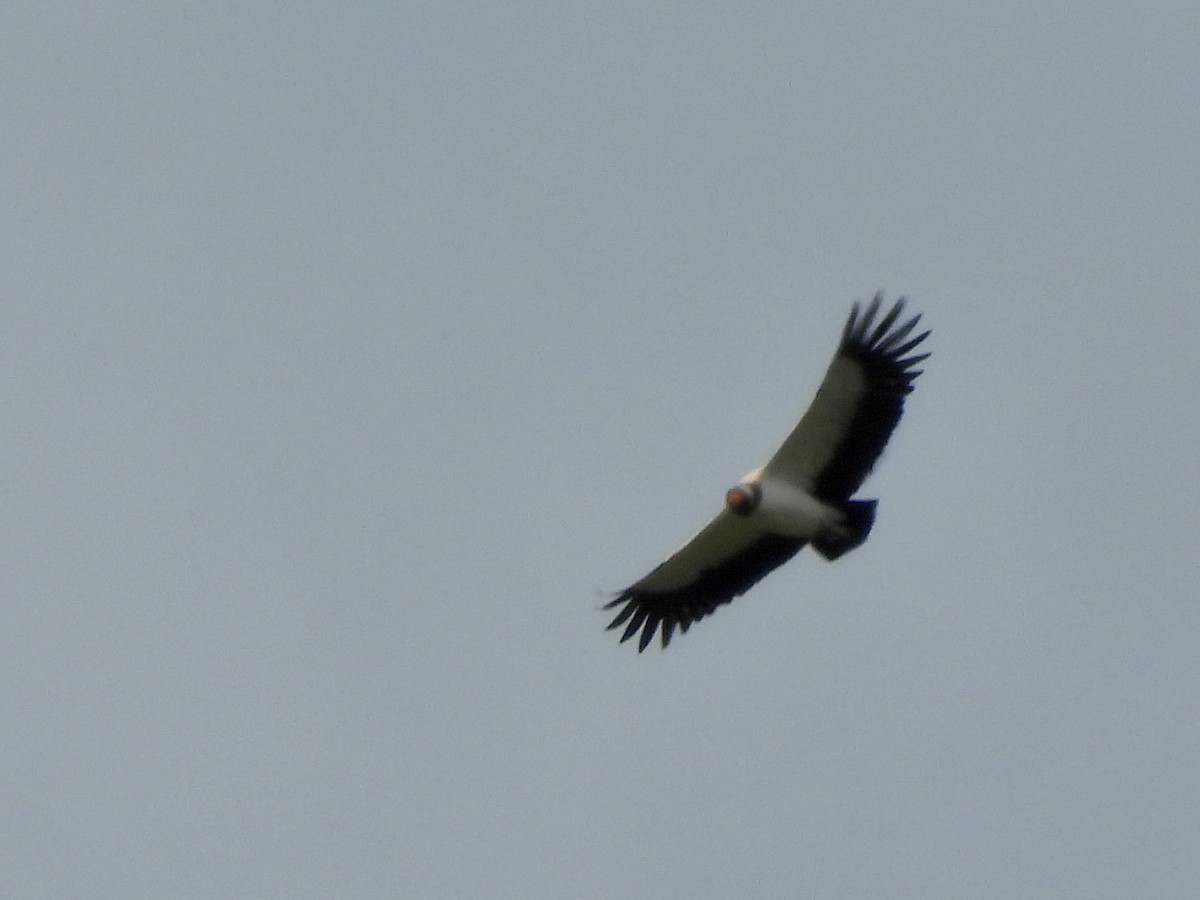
(724, 561)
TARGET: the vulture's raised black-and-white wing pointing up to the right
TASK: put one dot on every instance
(838, 441)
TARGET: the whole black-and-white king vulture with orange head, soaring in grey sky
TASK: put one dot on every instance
(802, 495)
